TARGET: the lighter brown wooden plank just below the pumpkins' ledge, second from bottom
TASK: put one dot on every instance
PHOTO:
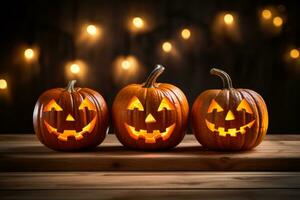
(148, 180)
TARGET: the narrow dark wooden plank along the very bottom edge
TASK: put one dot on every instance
(241, 194)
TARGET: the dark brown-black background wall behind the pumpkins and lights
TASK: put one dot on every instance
(256, 58)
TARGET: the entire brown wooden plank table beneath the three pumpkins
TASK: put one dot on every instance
(31, 171)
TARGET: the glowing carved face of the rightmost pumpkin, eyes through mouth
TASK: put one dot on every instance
(229, 122)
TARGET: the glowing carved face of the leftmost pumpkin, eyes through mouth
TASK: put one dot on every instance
(69, 127)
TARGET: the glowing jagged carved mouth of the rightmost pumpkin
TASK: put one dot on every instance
(231, 131)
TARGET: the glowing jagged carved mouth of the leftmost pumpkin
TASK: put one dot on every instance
(72, 133)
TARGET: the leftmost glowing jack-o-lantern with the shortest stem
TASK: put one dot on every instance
(70, 119)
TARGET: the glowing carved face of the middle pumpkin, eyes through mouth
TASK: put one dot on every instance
(149, 127)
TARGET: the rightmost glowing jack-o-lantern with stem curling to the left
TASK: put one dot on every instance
(229, 119)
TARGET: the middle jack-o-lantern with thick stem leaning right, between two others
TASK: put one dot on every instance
(151, 115)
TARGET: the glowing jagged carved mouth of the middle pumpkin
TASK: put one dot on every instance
(152, 136)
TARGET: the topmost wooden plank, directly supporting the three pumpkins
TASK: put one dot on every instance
(25, 153)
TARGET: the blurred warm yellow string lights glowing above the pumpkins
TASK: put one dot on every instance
(271, 20)
